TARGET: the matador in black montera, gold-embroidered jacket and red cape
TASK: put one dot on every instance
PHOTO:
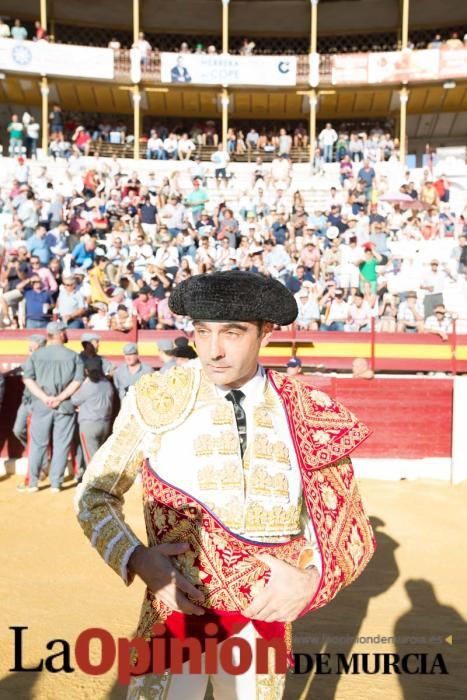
(253, 514)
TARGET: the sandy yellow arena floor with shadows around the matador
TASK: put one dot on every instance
(56, 585)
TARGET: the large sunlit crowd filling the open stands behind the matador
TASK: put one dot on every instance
(100, 249)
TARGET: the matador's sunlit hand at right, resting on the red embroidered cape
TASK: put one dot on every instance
(287, 593)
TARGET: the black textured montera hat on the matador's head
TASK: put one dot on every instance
(234, 296)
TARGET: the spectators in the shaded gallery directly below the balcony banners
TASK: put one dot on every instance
(181, 142)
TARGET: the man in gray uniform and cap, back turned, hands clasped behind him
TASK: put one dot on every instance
(52, 374)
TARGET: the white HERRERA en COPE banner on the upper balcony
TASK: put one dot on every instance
(225, 69)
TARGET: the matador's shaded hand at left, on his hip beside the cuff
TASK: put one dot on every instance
(154, 566)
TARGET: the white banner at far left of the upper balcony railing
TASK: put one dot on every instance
(44, 58)
